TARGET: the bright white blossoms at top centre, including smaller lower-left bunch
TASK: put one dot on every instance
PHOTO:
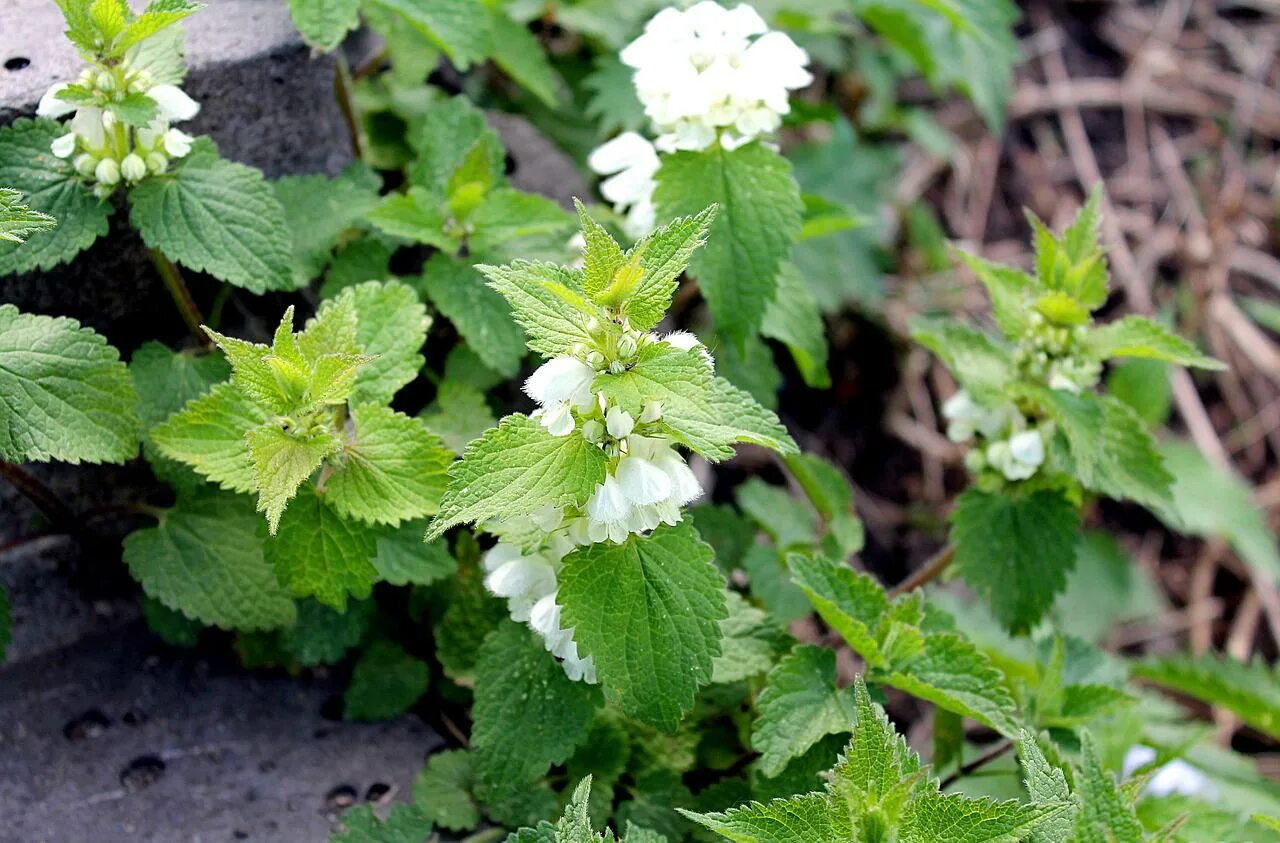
(707, 75)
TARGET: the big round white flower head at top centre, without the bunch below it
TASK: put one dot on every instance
(711, 72)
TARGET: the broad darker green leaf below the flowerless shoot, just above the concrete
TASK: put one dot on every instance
(205, 560)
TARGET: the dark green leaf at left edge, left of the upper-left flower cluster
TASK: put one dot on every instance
(53, 189)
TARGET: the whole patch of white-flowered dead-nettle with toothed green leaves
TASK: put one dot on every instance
(627, 653)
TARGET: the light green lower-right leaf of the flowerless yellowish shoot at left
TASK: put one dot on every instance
(394, 470)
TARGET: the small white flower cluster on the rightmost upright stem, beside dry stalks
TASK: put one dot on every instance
(1011, 447)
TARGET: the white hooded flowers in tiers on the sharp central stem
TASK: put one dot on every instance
(647, 485)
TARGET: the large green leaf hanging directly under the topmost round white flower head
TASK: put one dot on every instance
(758, 221)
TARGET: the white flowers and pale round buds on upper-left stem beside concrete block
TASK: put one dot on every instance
(106, 150)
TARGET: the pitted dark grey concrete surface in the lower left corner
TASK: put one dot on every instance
(121, 740)
